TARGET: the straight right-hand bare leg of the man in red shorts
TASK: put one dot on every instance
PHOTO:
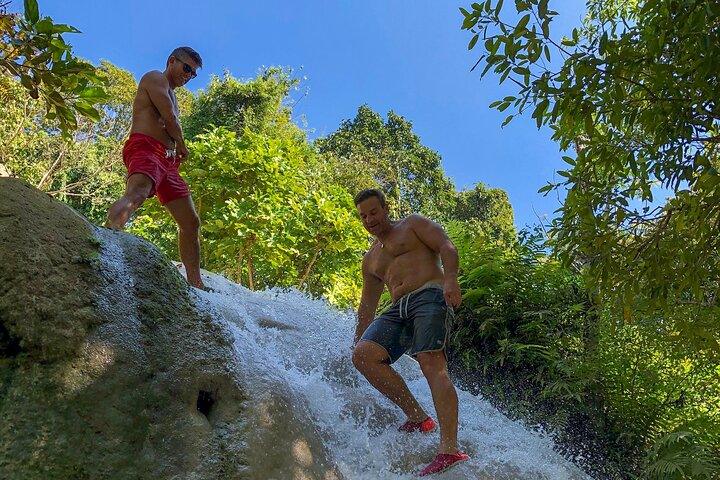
(183, 211)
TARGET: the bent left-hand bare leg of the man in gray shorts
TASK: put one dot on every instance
(372, 361)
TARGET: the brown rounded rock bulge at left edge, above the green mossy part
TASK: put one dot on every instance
(47, 278)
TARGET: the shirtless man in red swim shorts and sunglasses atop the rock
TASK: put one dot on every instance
(153, 154)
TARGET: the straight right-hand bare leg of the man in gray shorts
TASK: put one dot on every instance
(434, 367)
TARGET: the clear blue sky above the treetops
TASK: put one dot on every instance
(406, 56)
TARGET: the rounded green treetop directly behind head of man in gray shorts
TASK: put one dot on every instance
(368, 152)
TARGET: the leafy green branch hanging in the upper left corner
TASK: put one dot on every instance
(32, 50)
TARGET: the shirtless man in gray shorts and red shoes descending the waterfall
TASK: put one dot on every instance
(406, 258)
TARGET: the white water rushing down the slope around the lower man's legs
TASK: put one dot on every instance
(286, 340)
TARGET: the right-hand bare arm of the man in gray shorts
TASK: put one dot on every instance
(432, 235)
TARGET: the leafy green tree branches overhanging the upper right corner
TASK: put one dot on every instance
(634, 93)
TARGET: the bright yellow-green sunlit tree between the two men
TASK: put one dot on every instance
(262, 224)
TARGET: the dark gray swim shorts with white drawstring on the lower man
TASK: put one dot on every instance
(417, 322)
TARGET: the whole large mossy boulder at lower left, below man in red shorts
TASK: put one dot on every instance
(103, 356)
